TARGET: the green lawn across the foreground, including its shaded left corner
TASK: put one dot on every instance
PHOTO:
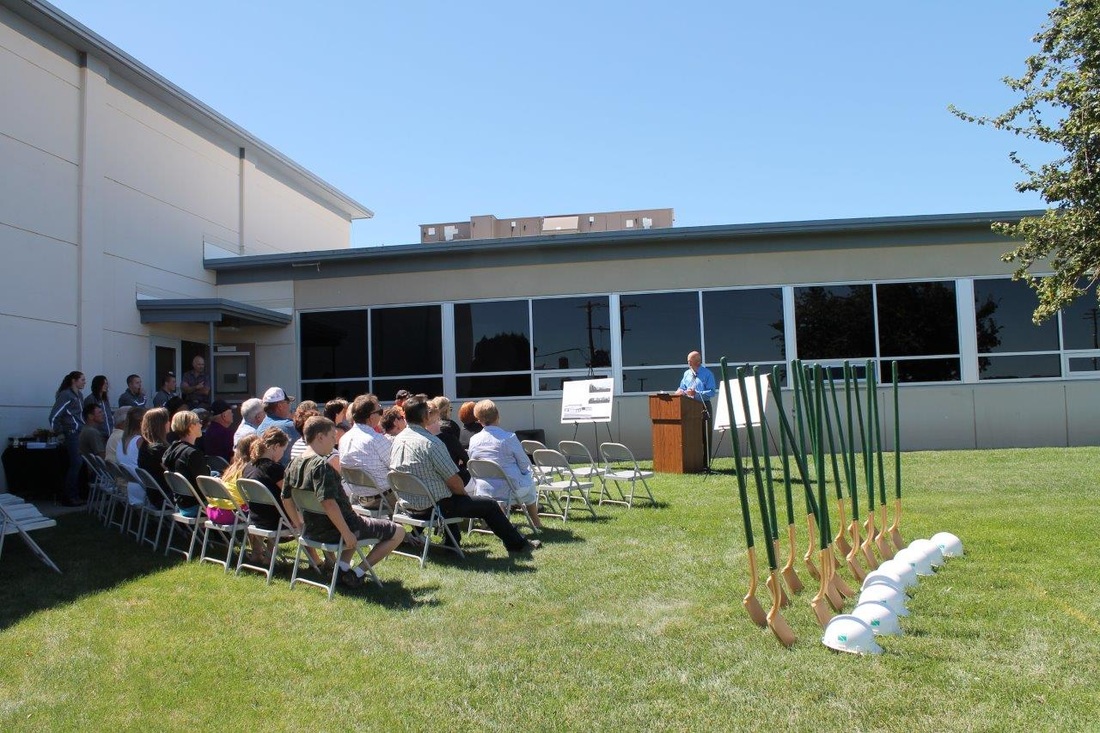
(630, 621)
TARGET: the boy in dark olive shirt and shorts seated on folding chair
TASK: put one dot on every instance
(313, 473)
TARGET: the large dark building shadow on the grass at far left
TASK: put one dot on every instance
(92, 560)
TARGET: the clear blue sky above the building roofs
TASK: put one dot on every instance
(729, 113)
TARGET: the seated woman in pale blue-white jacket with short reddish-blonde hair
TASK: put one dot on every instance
(496, 444)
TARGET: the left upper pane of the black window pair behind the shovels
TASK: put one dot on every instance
(834, 322)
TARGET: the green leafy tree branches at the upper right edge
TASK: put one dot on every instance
(1061, 106)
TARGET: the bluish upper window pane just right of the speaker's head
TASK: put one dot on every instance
(744, 326)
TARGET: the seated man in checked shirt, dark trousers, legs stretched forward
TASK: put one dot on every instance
(417, 452)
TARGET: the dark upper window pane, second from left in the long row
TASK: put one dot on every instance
(406, 342)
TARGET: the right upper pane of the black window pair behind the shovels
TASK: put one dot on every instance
(918, 319)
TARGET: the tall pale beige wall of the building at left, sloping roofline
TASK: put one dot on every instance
(109, 194)
